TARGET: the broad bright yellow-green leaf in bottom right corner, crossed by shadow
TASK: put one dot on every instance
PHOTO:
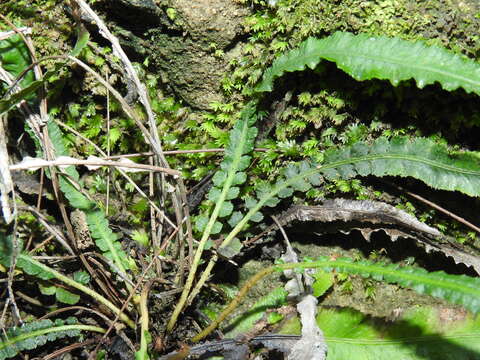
(419, 333)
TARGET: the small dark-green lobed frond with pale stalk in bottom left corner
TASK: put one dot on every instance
(37, 333)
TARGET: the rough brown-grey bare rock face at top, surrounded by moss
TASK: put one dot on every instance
(190, 43)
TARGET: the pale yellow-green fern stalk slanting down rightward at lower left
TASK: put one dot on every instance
(78, 286)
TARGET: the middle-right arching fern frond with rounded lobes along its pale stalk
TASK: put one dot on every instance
(419, 158)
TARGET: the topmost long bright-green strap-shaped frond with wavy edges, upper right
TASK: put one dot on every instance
(366, 57)
